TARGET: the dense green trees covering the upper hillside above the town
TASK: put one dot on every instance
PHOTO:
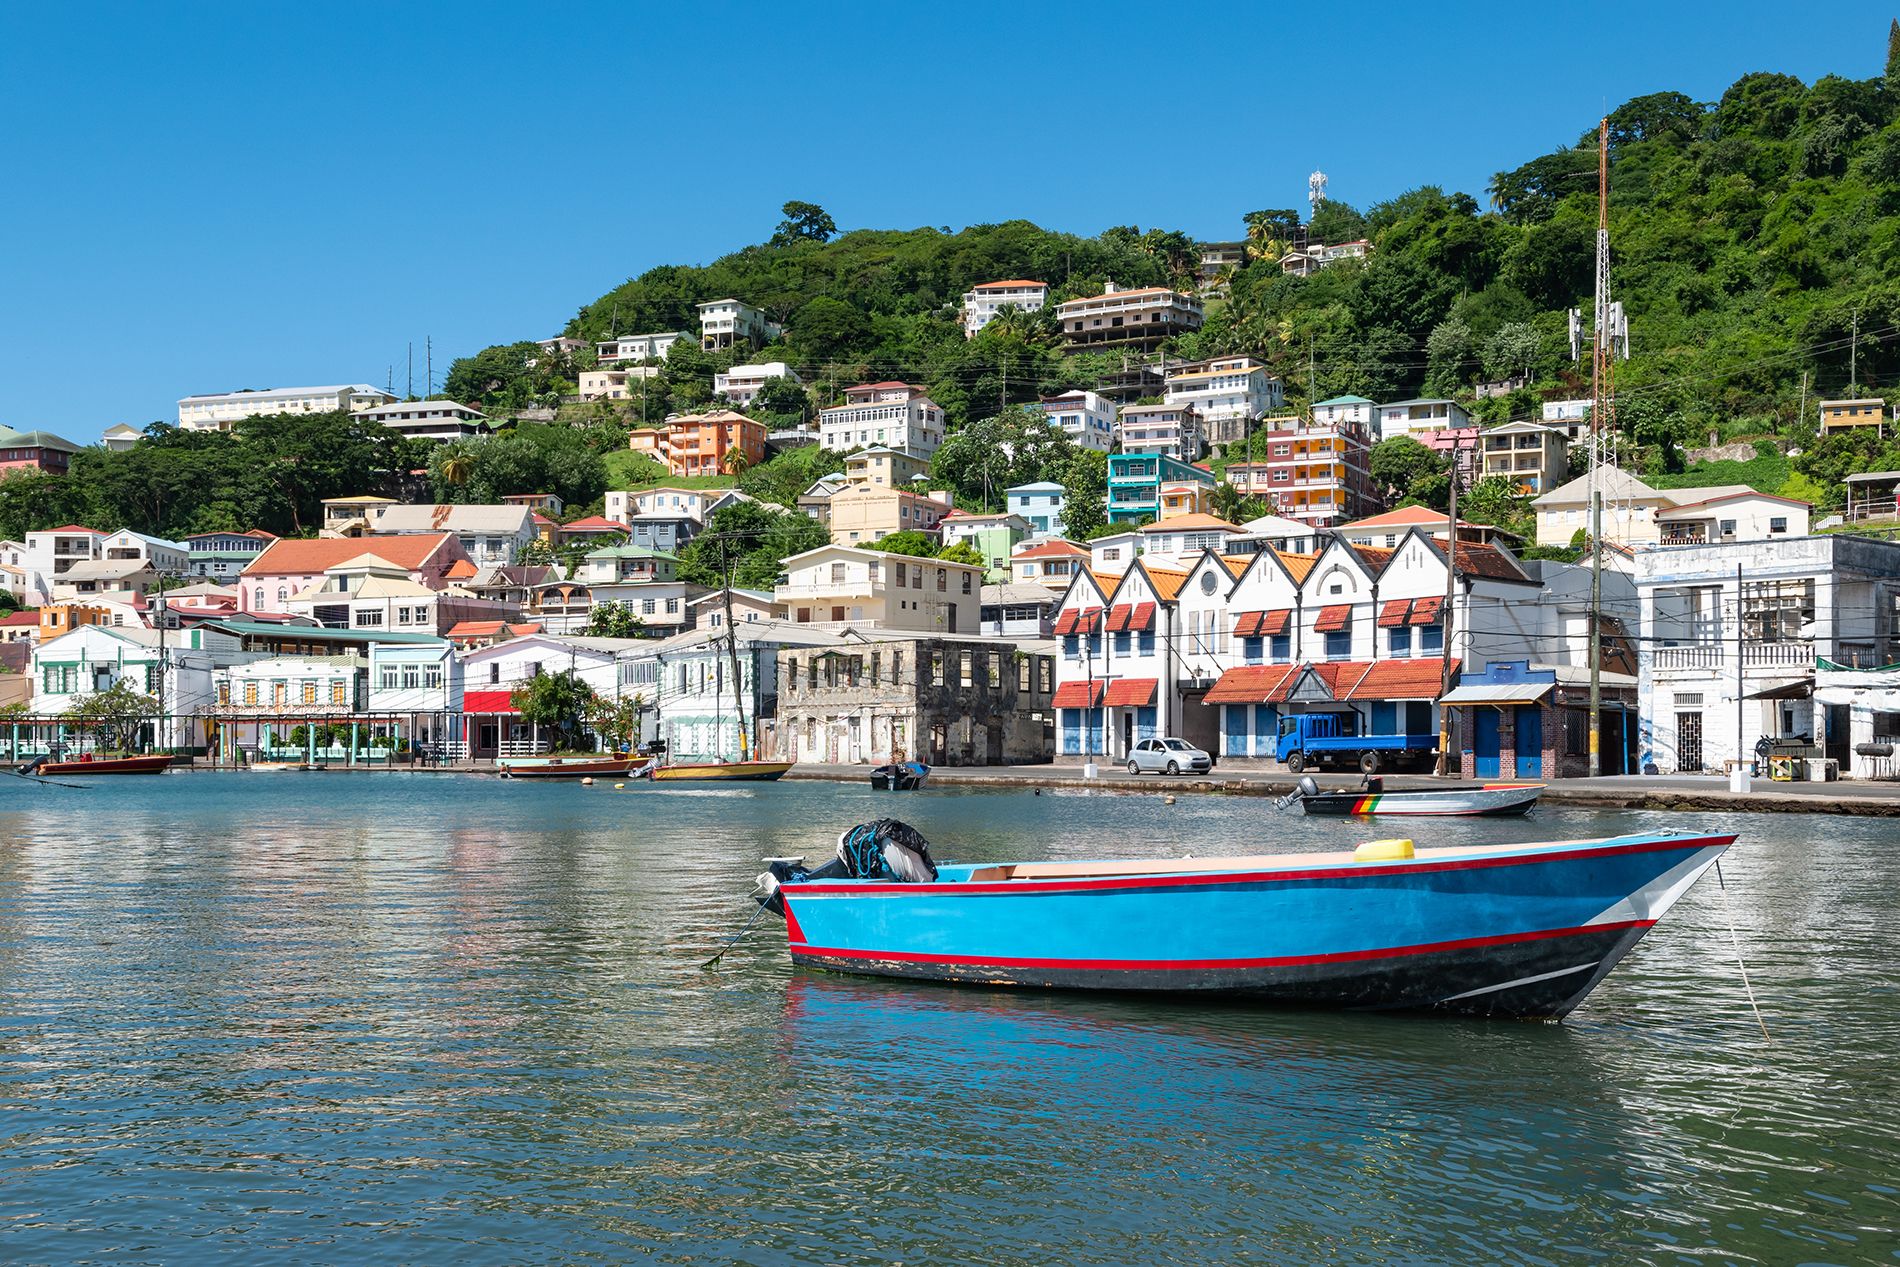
(1755, 246)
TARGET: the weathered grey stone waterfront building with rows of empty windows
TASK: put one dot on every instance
(945, 702)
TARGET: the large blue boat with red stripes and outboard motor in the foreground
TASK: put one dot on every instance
(1494, 930)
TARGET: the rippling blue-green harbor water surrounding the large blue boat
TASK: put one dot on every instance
(440, 1019)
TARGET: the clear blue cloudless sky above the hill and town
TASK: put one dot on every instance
(206, 197)
